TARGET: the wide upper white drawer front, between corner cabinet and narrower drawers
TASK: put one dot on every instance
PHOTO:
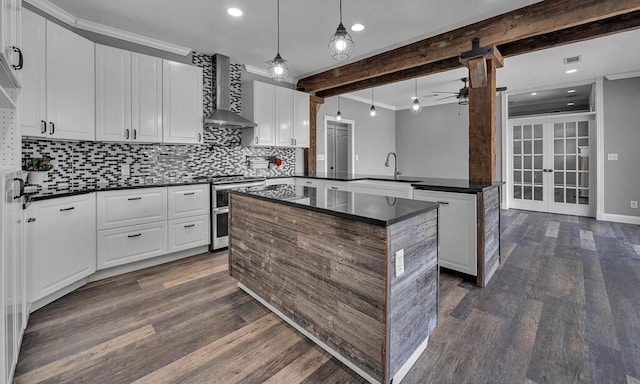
(132, 206)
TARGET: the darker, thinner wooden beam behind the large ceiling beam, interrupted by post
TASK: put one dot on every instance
(600, 28)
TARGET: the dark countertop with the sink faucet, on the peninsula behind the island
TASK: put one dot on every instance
(426, 183)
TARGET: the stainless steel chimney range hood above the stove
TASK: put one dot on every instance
(222, 116)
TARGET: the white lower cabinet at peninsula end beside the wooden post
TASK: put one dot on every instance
(456, 229)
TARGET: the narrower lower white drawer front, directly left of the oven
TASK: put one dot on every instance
(188, 233)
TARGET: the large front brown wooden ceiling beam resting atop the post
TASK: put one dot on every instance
(537, 19)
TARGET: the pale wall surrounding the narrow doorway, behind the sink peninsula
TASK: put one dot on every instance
(374, 138)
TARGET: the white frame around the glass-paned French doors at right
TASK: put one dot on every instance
(594, 137)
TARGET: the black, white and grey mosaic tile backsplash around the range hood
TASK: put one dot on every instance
(89, 163)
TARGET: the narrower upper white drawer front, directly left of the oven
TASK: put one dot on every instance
(190, 200)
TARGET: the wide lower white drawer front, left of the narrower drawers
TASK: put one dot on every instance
(126, 245)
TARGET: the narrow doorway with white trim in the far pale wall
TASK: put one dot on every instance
(338, 147)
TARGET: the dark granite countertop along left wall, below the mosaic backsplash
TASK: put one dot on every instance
(44, 194)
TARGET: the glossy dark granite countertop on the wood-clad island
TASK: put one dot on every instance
(372, 209)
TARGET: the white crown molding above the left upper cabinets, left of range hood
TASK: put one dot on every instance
(64, 16)
